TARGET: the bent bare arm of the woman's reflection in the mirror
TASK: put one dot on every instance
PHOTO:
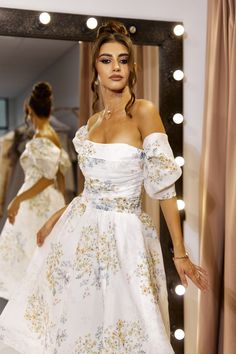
(28, 194)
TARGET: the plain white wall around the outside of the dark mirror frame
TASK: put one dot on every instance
(193, 14)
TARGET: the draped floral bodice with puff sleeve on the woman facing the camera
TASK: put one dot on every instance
(115, 173)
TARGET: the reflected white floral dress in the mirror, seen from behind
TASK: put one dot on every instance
(41, 158)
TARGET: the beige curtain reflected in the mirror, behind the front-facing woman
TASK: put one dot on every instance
(147, 60)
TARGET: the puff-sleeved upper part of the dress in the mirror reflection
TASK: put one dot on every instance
(42, 158)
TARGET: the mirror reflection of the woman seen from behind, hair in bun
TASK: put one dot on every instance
(44, 163)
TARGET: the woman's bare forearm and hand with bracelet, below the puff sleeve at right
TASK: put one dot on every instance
(182, 262)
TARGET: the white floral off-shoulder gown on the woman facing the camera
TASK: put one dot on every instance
(98, 283)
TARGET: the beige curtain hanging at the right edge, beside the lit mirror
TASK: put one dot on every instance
(217, 310)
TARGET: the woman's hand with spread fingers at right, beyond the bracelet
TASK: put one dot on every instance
(186, 268)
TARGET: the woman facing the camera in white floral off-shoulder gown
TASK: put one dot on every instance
(97, 284)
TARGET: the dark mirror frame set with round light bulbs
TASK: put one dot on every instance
(72, 27)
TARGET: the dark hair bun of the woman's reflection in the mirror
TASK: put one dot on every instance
(41, 99)
